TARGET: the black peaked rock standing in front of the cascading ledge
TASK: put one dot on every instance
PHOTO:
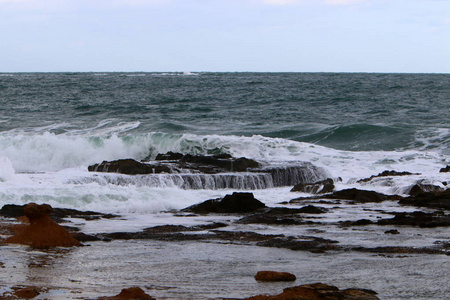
(235, 203)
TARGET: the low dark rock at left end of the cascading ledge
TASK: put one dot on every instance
(128, 166)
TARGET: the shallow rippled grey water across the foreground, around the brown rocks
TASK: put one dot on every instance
(193, 270)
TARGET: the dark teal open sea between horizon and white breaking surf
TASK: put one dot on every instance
(338, 110)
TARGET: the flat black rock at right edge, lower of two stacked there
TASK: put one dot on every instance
(418, 218)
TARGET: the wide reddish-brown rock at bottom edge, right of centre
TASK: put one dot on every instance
(319, 291)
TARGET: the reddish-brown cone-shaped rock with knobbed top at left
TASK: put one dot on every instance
(42, 232)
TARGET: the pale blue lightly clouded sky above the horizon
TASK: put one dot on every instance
(405, 36)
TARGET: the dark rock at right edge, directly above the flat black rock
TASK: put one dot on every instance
(438, 200)
